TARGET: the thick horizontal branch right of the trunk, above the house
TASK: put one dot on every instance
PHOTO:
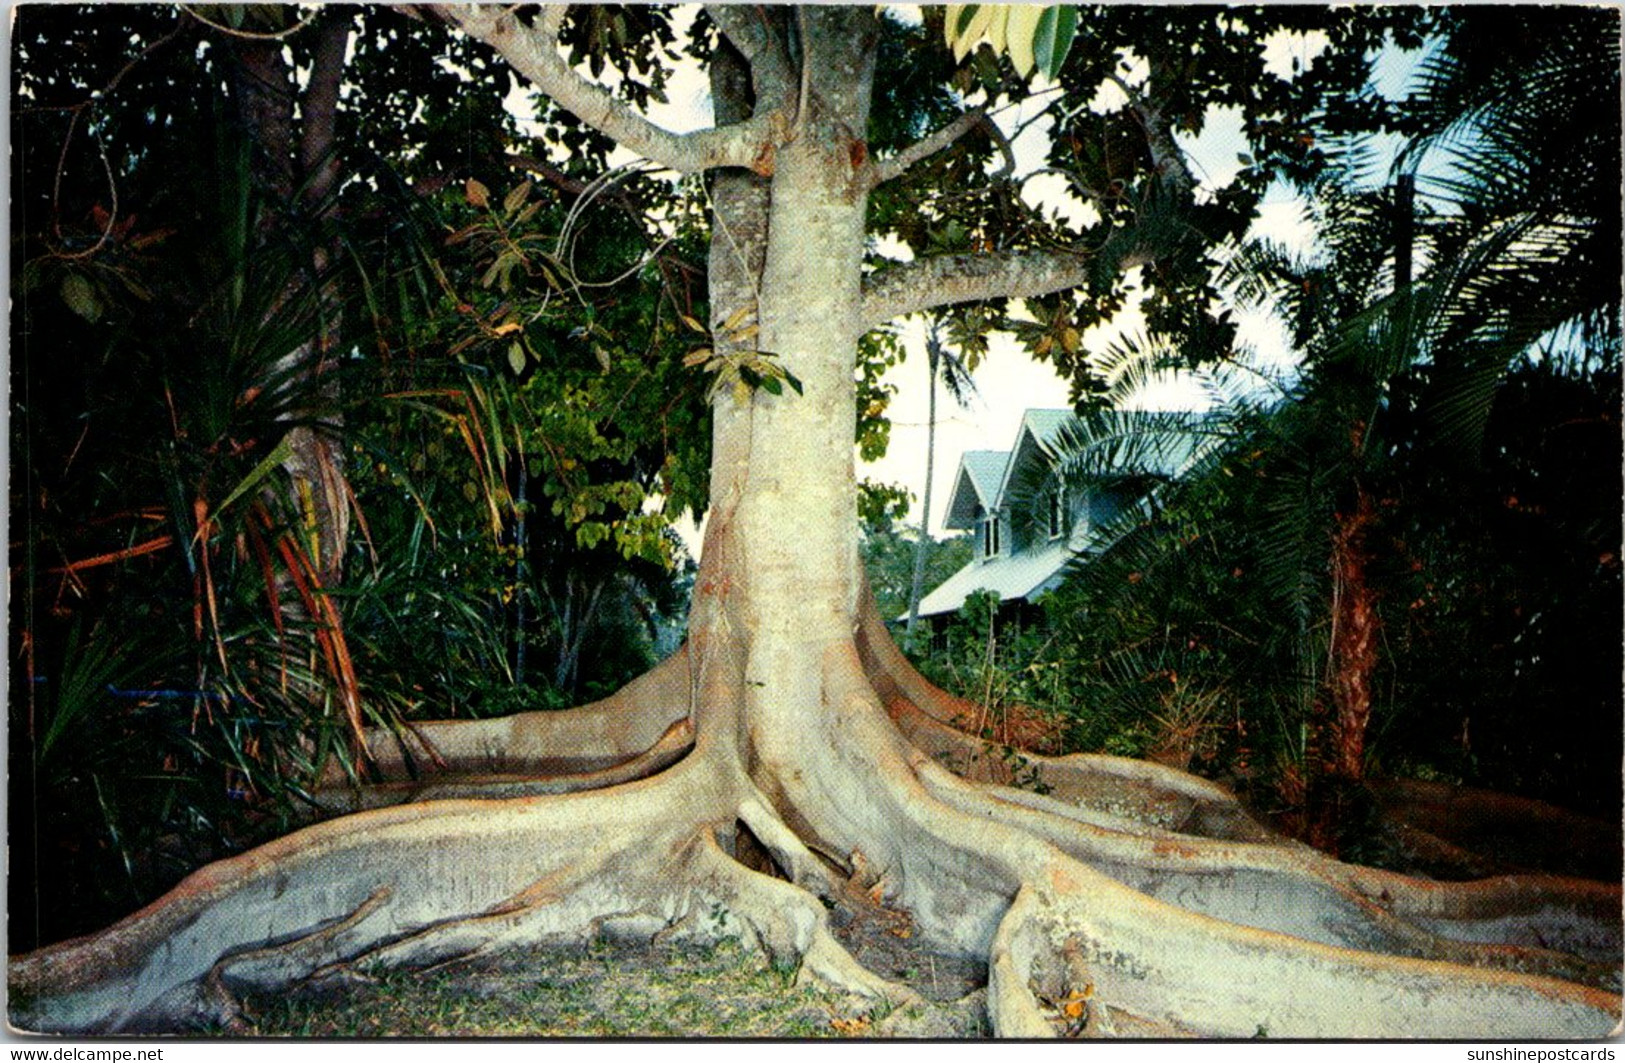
(945, 280)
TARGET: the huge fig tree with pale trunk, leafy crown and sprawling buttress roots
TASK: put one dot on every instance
(791, 722)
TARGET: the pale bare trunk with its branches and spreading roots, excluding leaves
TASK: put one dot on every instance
(792, 719)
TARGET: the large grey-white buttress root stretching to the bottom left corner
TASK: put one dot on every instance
(427, 885)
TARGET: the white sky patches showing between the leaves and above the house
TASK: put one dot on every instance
(1008, 381)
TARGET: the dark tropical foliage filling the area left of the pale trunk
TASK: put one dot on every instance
(500, 414)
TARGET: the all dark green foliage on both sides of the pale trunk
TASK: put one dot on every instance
(326, 433)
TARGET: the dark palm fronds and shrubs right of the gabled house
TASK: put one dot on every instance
(1369, 570)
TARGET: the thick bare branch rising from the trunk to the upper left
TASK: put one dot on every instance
(534, 51)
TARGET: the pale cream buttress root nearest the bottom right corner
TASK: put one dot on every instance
(1168, 966)
